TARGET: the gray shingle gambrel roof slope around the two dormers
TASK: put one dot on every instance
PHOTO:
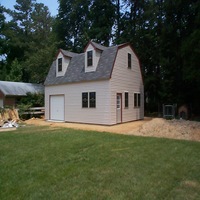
(76, 69)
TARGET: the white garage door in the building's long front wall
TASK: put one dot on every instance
(57, 108)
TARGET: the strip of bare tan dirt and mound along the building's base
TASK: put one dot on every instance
(156, 127)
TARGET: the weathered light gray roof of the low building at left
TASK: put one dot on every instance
(19, 89)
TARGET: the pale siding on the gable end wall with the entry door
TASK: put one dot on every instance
(124, 79)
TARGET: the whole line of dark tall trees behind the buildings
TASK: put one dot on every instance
(164, 33)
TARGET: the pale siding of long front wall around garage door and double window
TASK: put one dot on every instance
(73, 102)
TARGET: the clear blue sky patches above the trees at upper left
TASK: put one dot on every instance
(51, 4)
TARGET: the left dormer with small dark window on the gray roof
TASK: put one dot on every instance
(62, 62)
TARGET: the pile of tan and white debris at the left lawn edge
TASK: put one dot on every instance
(9, 118)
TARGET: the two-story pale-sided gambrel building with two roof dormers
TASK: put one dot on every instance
(102, 85)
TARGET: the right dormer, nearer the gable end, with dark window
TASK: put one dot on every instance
(92, 55)
